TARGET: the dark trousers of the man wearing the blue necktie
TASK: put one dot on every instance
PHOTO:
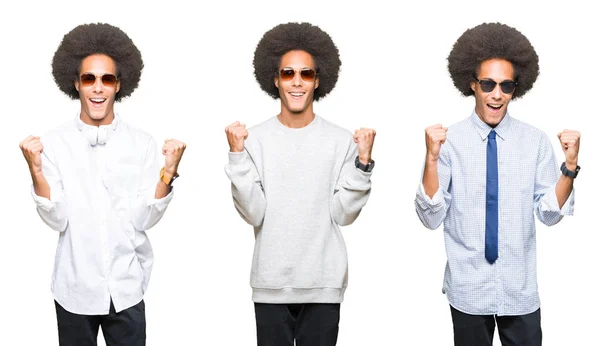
(478, 330)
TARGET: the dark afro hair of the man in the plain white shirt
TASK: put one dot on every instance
(100, 38)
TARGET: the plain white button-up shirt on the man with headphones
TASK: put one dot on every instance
(102, 202)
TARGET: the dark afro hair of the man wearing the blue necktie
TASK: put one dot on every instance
(493, 41)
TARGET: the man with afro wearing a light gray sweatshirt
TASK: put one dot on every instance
(296, 178)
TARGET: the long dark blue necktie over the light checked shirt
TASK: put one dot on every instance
(491, 200)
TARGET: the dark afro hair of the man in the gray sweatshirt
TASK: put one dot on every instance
(296, 36)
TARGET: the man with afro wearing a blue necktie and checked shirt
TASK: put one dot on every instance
(484, 178)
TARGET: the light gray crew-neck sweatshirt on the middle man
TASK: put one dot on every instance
(296, 187)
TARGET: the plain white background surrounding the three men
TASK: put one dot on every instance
(198, 78)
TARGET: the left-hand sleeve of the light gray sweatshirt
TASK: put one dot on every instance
(246, 188)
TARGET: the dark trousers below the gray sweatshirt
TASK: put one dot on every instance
(308, 324)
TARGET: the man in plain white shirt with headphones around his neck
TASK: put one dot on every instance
(97, 182)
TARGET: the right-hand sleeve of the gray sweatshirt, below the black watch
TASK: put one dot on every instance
(352, 190)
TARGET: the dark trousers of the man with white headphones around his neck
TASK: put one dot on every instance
(126, 328)
